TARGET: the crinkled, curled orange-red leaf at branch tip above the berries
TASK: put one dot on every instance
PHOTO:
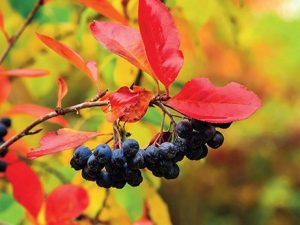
(128, 105)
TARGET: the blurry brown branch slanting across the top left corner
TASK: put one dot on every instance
(16, 36)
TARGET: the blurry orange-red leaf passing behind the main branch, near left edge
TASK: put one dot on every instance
(37, 111)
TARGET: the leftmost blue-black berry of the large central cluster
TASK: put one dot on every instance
(80, 157)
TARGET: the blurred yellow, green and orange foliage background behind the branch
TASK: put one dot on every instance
(252, 179)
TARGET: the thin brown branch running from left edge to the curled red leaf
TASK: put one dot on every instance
(55, 113)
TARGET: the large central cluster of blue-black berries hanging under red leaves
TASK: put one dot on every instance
(120, 166)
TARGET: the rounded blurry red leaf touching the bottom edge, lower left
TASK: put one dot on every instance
(65, 203)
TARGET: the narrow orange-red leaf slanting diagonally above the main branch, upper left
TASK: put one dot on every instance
(69, 54)
